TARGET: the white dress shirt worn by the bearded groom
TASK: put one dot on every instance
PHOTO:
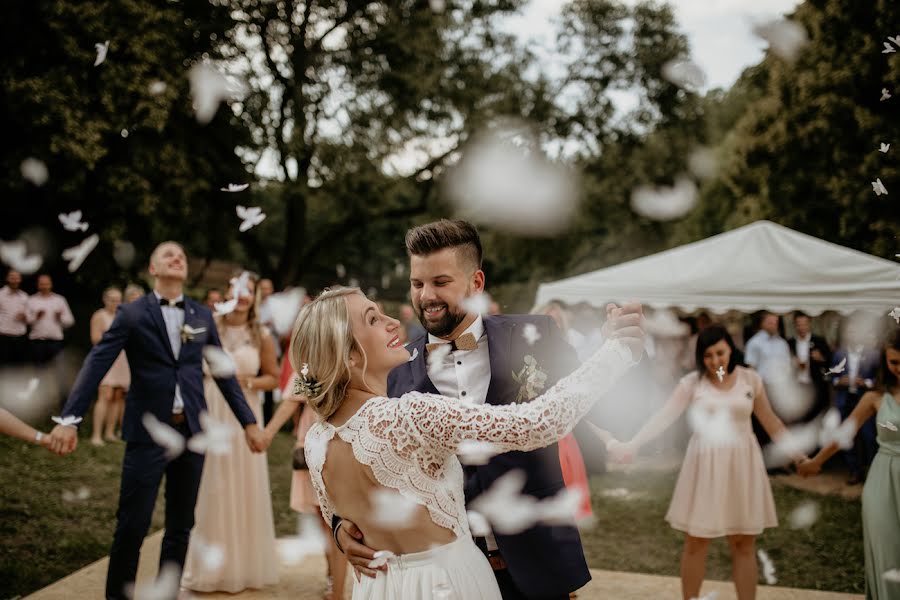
(465, 374)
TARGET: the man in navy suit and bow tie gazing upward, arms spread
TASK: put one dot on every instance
(163, 335)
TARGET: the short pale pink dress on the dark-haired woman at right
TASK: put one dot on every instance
(723, 489)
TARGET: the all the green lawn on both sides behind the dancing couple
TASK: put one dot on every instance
(46, 538)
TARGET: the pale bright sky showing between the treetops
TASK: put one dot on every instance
(719, 31)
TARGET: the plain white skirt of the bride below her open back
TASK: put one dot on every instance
(454, 571)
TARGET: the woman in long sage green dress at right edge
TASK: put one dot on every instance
(881, 494)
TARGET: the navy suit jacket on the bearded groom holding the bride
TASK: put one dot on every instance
(545, 560)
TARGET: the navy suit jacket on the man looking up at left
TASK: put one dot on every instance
(140, 330)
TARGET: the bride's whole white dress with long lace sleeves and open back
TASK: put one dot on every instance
(410, 444)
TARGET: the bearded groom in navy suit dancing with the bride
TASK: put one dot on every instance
(445, 269)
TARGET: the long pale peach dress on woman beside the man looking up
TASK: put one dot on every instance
(234, 504)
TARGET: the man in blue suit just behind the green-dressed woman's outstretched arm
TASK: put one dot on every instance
(858, 377)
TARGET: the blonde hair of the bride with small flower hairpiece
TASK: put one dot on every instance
(323, 340)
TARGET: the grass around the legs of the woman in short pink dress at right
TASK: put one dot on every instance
(632, 535)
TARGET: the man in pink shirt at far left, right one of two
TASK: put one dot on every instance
(47, 314)
